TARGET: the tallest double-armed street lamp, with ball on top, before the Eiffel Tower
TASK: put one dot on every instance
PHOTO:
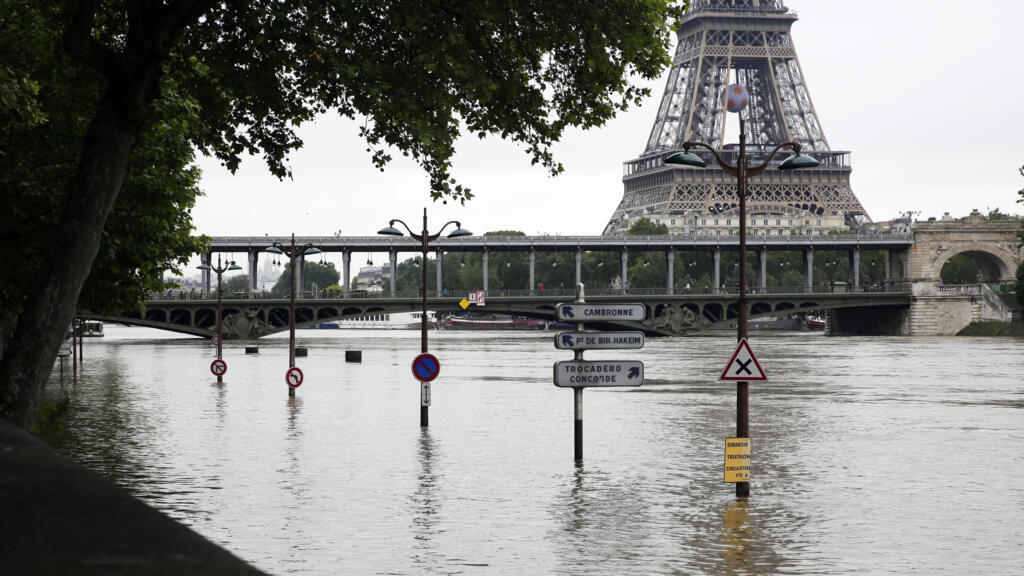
(742, 173)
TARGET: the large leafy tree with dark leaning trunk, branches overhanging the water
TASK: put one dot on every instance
(146, 84)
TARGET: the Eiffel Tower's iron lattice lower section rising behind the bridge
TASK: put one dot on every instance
(750, 39)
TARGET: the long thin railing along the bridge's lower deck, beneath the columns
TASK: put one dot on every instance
(889, 287)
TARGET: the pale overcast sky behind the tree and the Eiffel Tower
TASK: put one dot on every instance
(927, 96)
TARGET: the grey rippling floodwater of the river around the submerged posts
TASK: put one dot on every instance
(871, 456)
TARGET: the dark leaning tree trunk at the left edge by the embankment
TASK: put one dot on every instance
(31, 352)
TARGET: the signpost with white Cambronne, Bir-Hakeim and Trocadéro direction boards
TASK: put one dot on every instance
(578, 374)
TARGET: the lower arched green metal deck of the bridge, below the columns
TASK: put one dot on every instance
(257, 315)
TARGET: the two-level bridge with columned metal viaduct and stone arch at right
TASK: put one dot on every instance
(910, 301)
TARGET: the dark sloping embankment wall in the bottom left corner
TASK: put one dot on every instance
(61, 518)
